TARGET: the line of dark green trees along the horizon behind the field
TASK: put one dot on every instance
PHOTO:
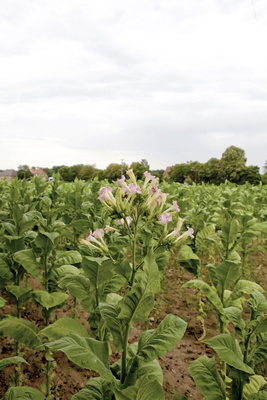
(231, 167)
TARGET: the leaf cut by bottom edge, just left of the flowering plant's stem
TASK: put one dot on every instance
(95, 389)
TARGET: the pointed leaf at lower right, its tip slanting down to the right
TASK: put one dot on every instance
(228, 350)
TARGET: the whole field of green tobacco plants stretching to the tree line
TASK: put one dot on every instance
(132, 290)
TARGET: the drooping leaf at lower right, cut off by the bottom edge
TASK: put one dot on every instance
(207, 378)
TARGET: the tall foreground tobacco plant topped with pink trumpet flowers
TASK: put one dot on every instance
(141, 215)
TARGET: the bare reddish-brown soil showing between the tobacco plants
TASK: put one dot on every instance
(178, 384)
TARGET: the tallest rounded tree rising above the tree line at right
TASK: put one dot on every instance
(232, 163)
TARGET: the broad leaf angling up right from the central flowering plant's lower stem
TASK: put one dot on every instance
(156, 342)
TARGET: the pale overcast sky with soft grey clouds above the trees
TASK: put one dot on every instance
(95, 82)
